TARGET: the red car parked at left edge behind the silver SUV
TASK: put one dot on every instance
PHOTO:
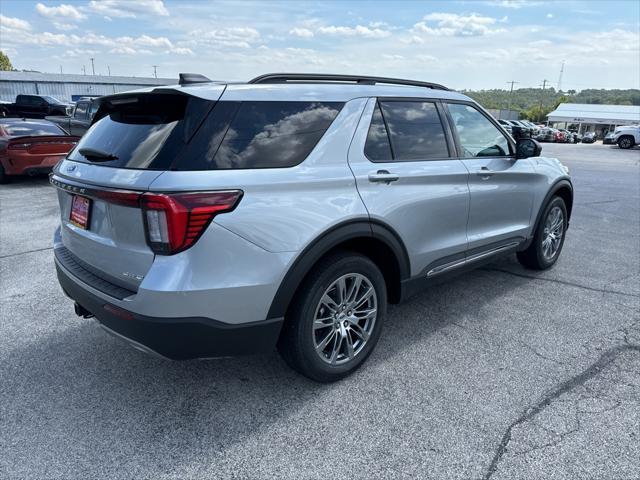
(30, 147)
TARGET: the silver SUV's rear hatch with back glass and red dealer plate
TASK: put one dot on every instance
(135, 137)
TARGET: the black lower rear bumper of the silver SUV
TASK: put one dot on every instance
(175, 338)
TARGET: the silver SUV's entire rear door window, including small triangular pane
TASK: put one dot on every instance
(413, 131)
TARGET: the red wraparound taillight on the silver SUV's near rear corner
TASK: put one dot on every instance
(175, 221)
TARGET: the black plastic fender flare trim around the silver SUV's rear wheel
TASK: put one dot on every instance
(328, 240)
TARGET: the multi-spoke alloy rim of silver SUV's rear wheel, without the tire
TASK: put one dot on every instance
(344, 319)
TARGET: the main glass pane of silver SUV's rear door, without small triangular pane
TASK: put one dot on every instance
(415, 130)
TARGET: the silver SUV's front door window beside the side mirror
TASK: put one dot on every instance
(478, 136)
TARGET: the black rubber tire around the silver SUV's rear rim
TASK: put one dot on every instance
(297, 340)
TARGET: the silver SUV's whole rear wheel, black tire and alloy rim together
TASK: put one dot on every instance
(336, 318)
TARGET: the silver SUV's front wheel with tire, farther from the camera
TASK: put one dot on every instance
(549, 237)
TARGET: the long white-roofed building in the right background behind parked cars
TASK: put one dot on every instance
(594, 118)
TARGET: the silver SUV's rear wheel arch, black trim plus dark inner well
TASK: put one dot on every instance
(373, 239)
